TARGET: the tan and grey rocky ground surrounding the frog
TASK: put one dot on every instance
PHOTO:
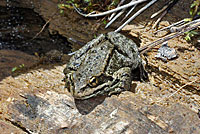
(33, 99)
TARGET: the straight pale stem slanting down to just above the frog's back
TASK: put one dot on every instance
(135, 15)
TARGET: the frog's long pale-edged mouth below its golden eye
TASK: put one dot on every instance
(101, 89)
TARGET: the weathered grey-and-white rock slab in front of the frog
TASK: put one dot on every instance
(51, 112)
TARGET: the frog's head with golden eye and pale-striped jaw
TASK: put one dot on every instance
(81, 88)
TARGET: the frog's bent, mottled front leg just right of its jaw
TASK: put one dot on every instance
(122, 81)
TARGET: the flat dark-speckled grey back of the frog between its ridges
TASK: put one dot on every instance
(94, 64)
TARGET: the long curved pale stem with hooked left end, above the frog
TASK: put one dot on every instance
(109, 11)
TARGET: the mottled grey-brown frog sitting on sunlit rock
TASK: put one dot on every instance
(104, 66)
